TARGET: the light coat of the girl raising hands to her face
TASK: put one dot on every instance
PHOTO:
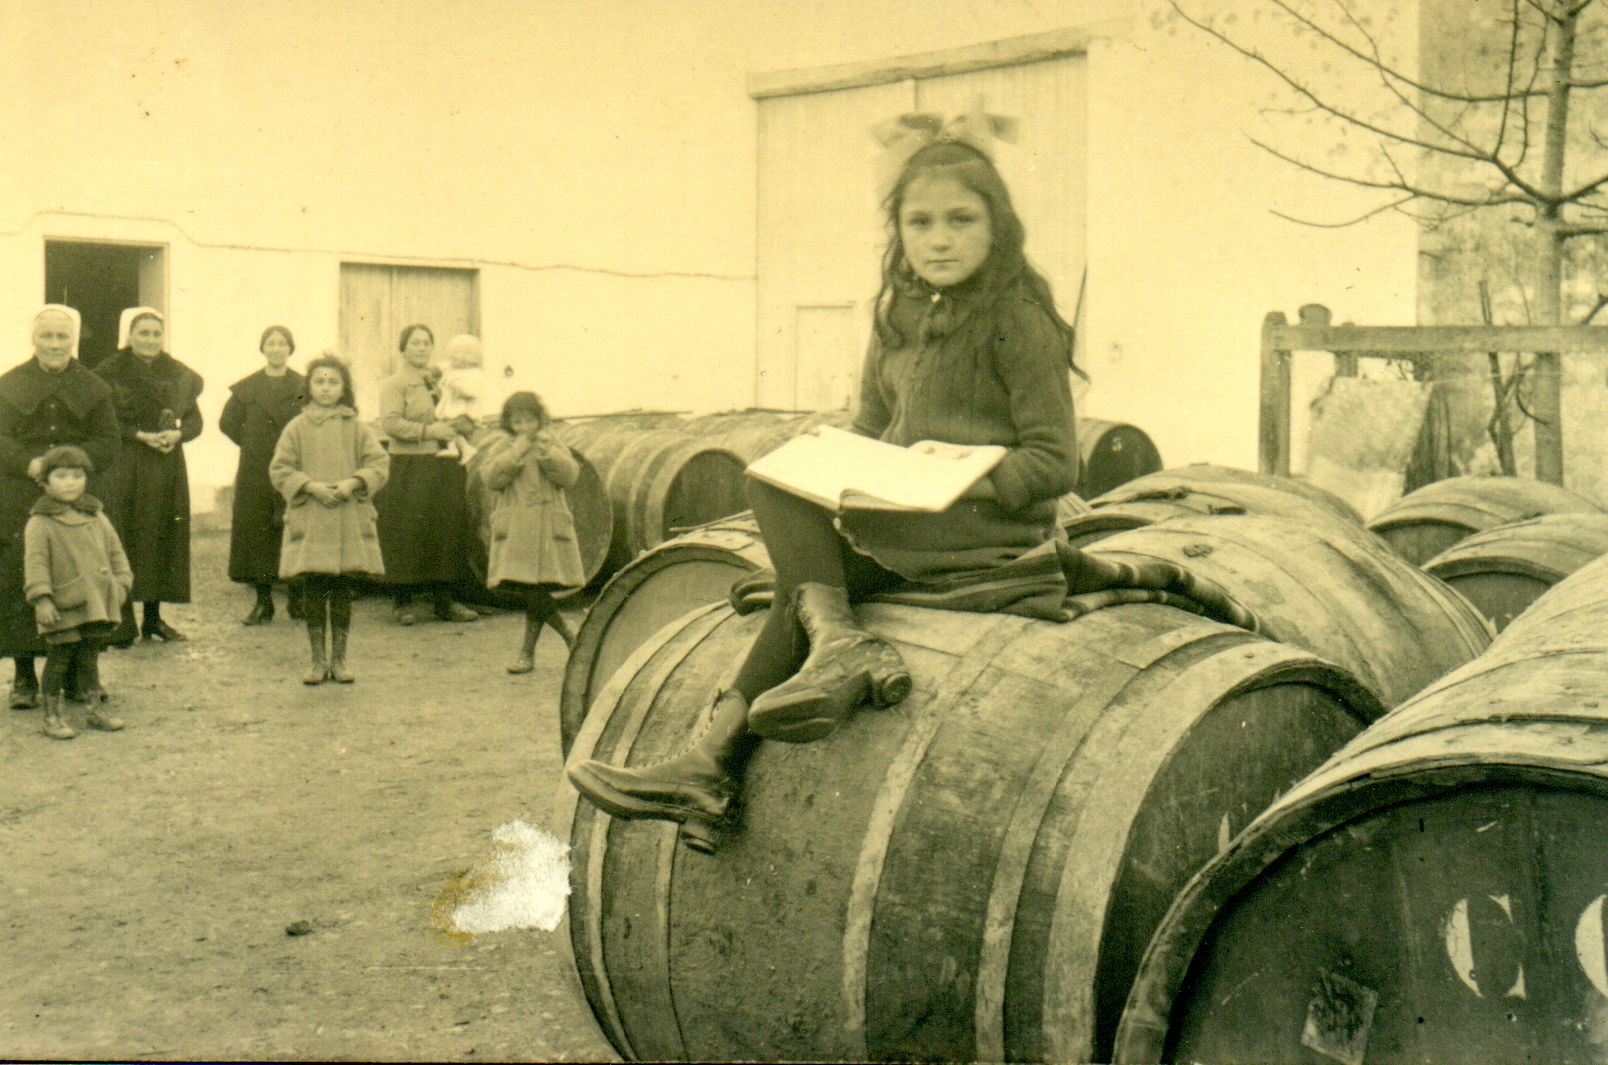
(533, 532)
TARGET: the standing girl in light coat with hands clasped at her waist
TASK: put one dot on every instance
(329, 467)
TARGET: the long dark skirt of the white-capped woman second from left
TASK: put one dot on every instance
(149, 504)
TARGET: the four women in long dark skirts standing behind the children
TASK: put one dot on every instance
(136, 411)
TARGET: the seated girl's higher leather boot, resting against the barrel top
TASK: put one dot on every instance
(847, 667)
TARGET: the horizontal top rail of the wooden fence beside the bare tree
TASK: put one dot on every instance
(1408, 342)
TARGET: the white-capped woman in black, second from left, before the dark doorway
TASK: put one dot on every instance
(149, 487)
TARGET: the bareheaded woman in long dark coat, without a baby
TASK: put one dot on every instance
(258, 411)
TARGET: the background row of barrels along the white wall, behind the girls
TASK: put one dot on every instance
(650, 475)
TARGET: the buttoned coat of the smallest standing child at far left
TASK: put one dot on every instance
(78, 561)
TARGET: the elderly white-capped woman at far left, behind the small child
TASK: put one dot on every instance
(47, 401)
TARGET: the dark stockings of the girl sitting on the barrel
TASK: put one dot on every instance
(805, 546)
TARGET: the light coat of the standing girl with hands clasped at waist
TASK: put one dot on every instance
(329, 445)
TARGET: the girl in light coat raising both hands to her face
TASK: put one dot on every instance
(533, 549)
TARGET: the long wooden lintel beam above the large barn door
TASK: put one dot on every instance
(1009, 52)
